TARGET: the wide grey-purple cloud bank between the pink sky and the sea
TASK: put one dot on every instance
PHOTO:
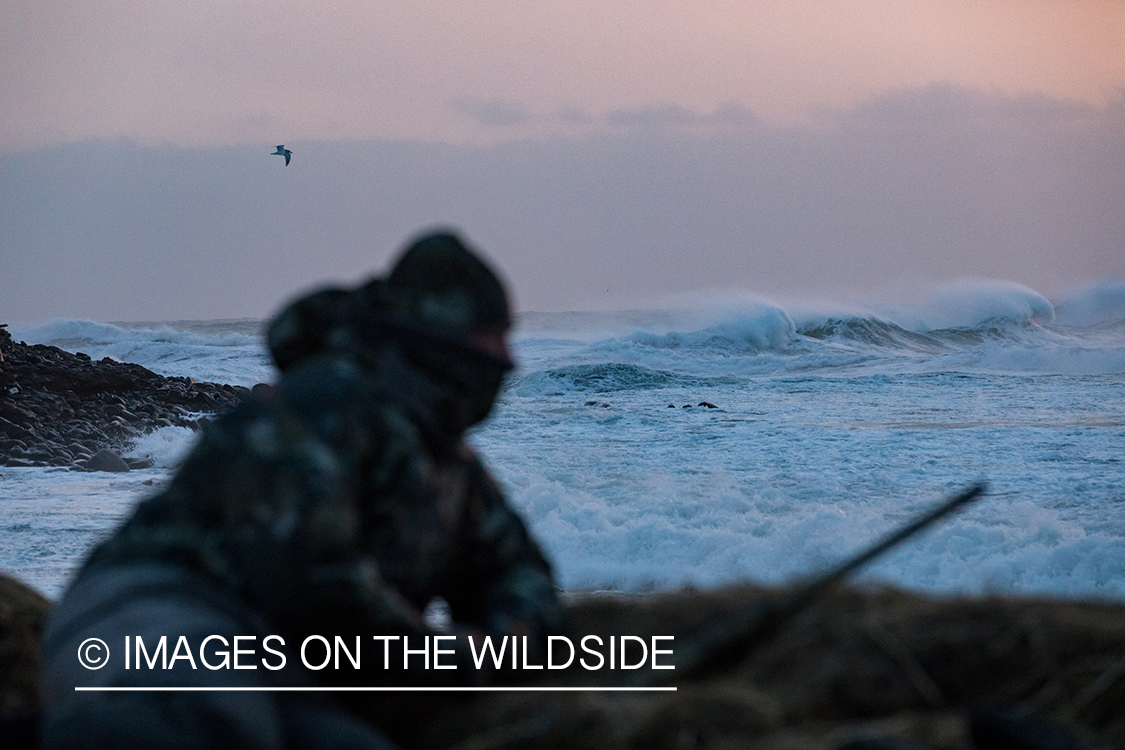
(668, 202)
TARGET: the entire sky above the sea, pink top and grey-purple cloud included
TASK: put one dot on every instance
(604, 152)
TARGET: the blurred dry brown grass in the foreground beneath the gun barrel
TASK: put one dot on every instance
(859, 664)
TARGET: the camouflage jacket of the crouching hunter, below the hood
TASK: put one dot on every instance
(325, 505)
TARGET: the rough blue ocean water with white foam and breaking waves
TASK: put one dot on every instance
(833, 426)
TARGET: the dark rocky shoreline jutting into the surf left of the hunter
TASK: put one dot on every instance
(64, 410)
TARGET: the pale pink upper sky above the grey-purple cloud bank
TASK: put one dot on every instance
(209, 73)
